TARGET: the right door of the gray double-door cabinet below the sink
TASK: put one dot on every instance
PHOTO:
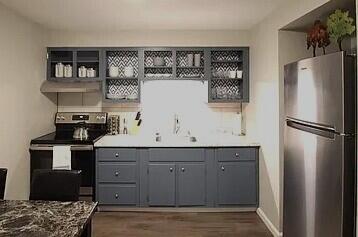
(191, 184)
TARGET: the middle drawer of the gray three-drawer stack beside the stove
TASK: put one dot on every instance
(114, 172)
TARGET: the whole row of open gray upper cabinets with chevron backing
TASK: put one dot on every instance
(225, 69)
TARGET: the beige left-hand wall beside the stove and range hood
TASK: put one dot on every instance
(26, 113)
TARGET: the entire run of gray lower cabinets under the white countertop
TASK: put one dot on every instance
(177, 177)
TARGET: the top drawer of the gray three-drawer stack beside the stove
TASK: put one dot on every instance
(117, 154)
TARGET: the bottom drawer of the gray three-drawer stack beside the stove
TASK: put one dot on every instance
(117, 194)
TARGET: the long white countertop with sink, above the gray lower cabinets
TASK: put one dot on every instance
(174, 141)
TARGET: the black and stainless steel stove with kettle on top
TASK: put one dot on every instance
(82, 152)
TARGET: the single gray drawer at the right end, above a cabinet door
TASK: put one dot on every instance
(236, 154)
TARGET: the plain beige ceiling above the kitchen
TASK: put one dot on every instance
(114, 15)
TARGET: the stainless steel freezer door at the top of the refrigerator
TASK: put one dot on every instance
(315, 89)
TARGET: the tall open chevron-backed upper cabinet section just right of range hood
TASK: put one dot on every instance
(122, 75)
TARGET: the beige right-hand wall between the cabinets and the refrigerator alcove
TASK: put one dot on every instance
(266, 109)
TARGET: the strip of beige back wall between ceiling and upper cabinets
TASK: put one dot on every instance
(150, 38)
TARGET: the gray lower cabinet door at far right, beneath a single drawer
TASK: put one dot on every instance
(237, 183)
